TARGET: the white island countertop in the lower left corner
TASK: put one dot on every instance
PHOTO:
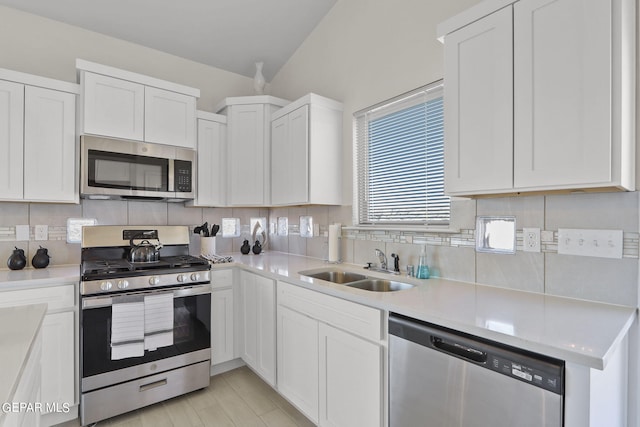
(19, 327)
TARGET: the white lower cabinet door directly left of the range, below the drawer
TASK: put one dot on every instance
(58, 350)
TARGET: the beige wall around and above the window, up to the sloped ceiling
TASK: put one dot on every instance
(366, 51)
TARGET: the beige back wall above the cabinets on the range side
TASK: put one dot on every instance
(48, 48)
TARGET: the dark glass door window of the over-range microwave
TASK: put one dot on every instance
(116, 170)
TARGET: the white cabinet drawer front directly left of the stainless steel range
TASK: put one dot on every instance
(56, 297)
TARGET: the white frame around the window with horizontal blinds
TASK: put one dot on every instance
(361, 120)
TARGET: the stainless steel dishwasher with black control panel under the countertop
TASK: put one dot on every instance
(444, 378)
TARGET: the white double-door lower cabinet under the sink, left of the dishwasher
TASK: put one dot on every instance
(330, 363)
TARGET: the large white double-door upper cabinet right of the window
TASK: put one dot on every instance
(569, 122)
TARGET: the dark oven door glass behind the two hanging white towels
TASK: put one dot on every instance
(191, 332)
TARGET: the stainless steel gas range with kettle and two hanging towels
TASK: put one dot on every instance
(145, 328)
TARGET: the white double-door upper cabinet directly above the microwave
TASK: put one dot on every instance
(122, 104)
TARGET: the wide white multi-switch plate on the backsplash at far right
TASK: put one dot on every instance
(596, 243)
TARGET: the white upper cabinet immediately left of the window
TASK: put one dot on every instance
(306, 144)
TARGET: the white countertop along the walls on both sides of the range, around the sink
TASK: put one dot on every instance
(578, 331)
